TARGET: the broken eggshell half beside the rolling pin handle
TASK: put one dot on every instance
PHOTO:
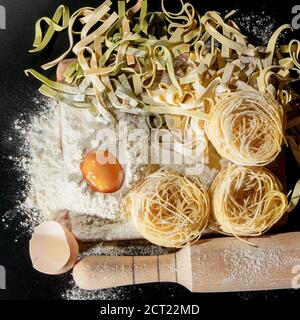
(53, 248)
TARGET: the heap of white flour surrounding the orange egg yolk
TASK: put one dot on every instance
(56, 182)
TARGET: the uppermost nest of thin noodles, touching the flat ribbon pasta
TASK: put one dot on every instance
(246, 127)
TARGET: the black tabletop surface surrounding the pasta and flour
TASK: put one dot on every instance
(16, 94)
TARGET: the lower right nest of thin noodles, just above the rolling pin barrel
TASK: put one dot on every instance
(246, 201)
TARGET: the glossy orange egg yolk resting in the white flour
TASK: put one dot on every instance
(102, 171)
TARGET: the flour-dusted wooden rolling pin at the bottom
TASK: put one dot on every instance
(211, 265)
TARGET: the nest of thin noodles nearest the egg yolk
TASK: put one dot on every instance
(169, 209)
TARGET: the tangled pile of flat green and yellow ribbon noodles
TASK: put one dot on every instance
(176, 73)
